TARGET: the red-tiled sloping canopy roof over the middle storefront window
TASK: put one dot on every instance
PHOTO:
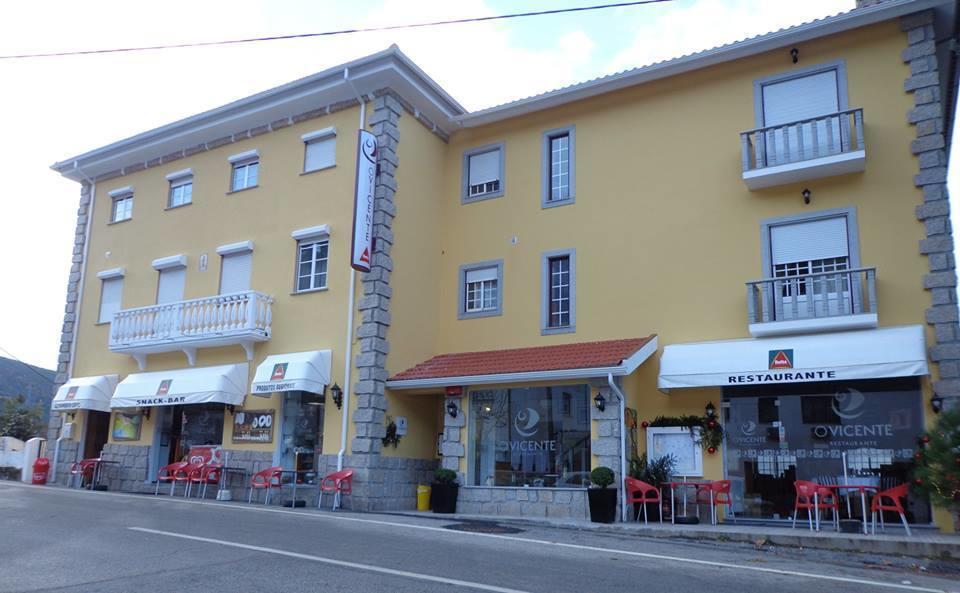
(586, 355)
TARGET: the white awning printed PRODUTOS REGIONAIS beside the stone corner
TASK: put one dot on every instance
(296, 371)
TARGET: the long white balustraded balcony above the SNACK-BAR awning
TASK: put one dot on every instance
(240, 318)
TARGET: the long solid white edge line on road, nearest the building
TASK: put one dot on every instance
(331, 517)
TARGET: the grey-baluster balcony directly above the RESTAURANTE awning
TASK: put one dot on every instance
(825, 301)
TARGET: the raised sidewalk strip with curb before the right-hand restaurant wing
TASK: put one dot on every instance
(927, 543)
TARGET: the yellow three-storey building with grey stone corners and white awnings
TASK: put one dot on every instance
(556, 283)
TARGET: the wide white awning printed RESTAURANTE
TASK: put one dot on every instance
(840, 356)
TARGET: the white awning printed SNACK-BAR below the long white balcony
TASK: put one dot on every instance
(226, 384)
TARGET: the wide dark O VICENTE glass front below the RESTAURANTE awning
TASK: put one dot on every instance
(852, 432)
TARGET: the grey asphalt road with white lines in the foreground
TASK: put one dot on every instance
(66, 540)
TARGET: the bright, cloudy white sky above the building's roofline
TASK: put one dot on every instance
(58, 107)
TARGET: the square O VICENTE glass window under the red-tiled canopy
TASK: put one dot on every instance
(533, 436)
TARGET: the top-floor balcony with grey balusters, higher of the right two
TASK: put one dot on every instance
(808, 149)
